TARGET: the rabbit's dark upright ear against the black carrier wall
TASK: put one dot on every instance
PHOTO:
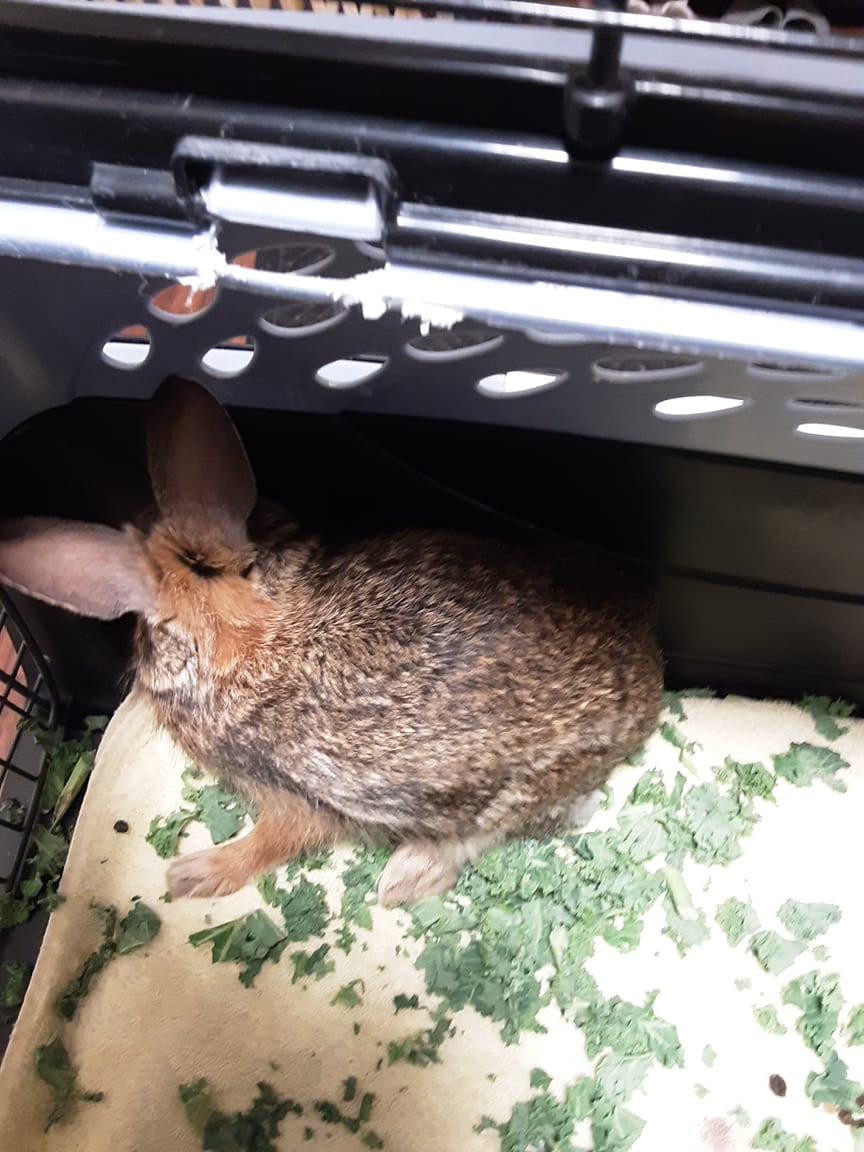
(198, 461)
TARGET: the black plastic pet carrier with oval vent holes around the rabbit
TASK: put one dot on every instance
(511, 264)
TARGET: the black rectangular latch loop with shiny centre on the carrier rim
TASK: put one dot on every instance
(339, 195)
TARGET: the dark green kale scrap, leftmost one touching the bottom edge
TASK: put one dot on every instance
(255, 1131)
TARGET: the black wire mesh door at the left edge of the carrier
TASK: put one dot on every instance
(26, 694)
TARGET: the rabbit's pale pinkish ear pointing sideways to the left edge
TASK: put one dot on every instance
(87, 569)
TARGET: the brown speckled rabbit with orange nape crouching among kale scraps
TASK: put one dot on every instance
(438, 691)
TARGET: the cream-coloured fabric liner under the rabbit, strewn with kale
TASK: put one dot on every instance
(168, 1015)
